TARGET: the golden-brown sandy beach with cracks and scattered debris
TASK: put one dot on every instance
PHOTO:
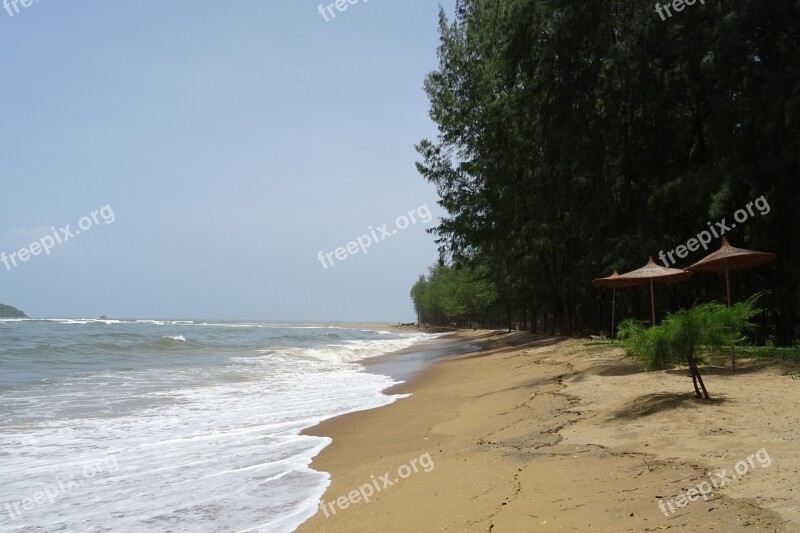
(539, 433)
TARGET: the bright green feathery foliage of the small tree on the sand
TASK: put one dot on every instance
(681, 335)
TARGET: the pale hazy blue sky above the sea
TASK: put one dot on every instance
(204, 153)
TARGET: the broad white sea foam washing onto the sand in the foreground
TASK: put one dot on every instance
(221, 458)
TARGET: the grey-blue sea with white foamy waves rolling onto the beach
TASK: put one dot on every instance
(176, 425)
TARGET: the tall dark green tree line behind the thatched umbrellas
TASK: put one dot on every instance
(576, 138)
